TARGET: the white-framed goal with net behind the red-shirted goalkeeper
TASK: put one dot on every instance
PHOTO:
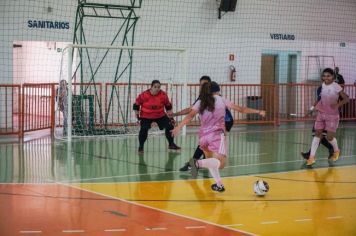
(98, 86)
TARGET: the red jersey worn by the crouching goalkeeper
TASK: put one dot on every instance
(152, 106)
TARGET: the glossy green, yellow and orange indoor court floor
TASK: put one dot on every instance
(103, 187)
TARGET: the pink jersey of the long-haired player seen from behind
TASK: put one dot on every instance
(213, 121)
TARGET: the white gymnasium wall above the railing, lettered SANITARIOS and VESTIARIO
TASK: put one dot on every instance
(319, 26)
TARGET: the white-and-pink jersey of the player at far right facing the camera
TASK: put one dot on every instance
(329, 98)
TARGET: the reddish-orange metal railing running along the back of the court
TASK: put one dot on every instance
(30, 107)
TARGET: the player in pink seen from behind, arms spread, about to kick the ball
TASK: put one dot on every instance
(211, 108)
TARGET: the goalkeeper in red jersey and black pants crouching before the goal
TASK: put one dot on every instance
(153, 105)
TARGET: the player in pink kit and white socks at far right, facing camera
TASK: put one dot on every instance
(328, 114)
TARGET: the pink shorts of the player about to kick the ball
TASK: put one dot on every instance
(214, 142)
